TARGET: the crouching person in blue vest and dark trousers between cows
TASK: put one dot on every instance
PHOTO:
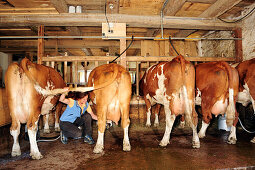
(78, 113)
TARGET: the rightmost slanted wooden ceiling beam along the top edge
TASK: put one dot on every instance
(219, 8)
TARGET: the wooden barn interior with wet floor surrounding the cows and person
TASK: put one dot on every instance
(76, 36)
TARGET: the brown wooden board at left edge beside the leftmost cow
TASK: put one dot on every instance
(5, 117)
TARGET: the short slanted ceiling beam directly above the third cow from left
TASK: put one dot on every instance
(173, 6)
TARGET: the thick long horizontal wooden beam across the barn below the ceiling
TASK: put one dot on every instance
(88, 19)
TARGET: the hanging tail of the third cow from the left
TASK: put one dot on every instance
(188, 108)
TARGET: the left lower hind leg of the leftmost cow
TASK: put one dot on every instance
(15, 131)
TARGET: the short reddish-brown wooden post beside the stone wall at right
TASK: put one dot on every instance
(238, 45)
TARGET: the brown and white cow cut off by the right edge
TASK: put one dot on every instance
(246, 95)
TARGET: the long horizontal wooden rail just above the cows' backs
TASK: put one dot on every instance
(130, 58)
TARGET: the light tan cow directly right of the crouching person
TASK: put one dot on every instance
(112, 99)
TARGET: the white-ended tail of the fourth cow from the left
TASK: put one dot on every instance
(230, 112)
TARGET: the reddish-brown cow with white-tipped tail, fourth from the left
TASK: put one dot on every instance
(216, 93)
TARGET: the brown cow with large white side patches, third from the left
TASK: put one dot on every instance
(172, 84)
